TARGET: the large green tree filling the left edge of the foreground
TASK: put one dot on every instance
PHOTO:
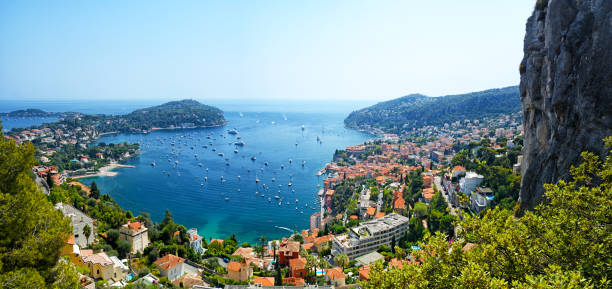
(31, 230)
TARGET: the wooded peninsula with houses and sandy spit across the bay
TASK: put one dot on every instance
(70, 144)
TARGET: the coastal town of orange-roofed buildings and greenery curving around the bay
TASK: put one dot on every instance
(378, 200)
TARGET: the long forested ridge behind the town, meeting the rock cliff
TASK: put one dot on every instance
(417, 110)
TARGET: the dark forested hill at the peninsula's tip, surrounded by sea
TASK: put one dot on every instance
(184, 113)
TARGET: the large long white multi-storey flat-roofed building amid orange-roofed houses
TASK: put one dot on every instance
(370, 235)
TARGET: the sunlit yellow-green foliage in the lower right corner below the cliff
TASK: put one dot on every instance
(564, 243)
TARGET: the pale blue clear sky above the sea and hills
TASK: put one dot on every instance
(366, 51)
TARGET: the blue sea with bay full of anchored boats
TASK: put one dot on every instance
(260, 181)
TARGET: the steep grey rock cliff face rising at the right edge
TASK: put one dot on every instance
(566, 89)
